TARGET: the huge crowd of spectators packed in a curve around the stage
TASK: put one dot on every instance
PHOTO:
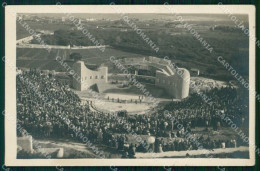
(47, 107)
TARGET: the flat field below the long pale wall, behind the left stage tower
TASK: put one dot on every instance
(30, 57)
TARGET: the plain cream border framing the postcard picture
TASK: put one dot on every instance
(10, 85)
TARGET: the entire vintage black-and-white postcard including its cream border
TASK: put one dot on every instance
(142, 85)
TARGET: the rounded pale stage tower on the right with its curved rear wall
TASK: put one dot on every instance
(176, 81)
